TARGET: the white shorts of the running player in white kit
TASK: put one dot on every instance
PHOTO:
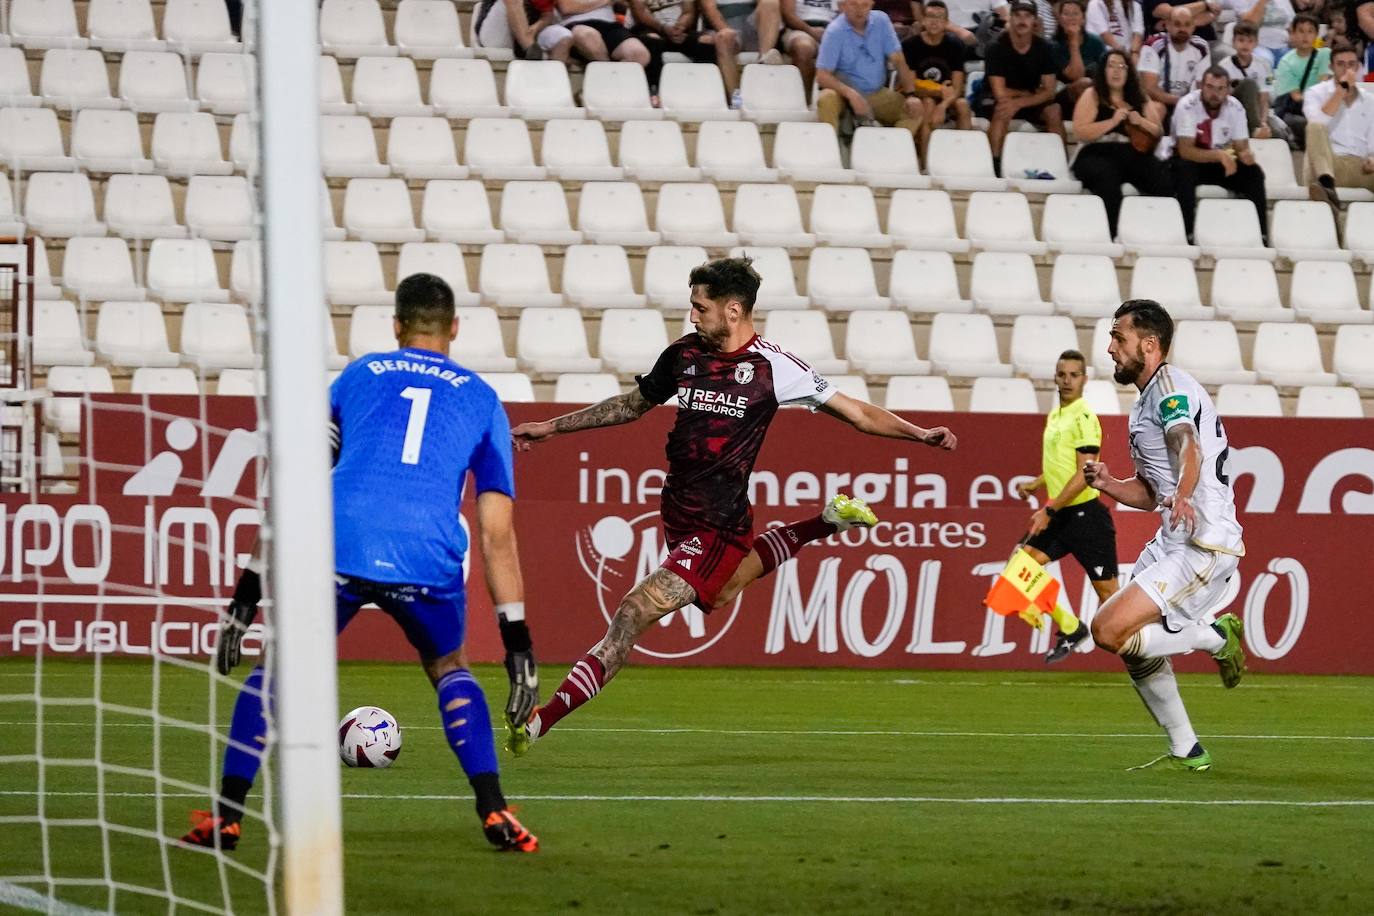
(1185, 582)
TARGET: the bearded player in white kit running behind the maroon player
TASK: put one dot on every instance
(1180, 450)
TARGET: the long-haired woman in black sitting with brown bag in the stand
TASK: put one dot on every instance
(1118, 128)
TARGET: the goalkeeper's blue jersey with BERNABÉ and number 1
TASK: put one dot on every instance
(412, 425)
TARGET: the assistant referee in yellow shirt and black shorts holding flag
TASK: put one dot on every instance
(1074, 520)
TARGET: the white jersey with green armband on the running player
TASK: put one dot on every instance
(1171, 399)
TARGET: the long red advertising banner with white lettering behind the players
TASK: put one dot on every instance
(144, 554)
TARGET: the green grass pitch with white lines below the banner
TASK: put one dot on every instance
(762, 792)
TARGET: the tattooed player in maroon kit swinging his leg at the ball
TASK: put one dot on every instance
(729, 384)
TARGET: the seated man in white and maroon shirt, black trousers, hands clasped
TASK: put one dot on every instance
(1214, 148)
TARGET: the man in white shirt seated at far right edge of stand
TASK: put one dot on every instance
(1340, 130)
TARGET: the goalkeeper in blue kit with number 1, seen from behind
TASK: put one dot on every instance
(409, 428)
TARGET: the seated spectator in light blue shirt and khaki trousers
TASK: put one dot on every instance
(853, 73)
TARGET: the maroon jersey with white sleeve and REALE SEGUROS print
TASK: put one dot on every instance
(725, 406)
